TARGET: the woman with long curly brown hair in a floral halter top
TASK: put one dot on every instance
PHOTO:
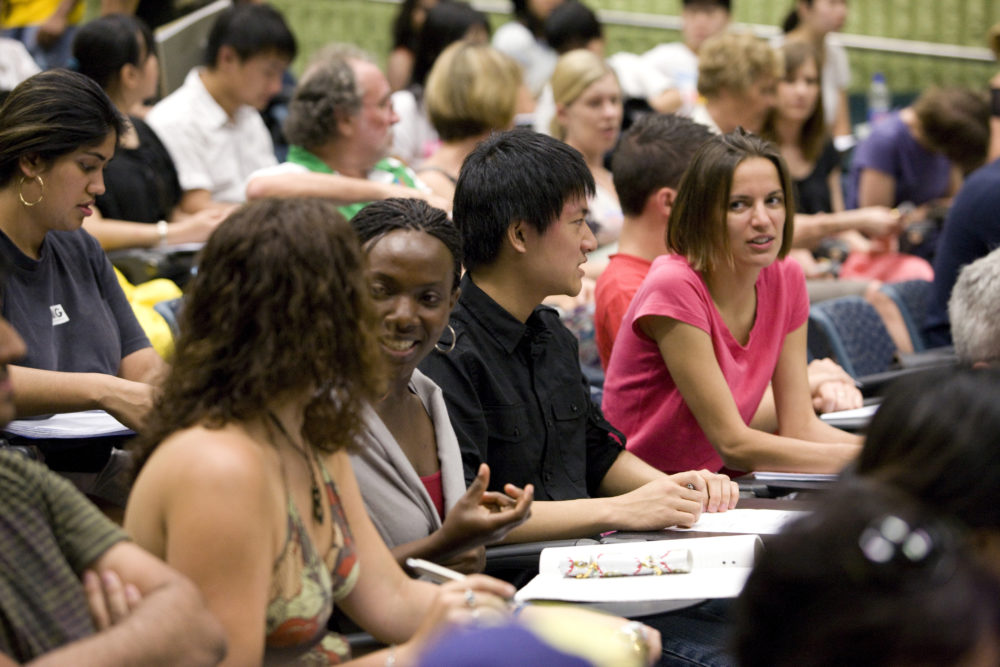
(245, 484)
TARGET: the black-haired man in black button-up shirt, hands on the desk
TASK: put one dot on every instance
(512, 381)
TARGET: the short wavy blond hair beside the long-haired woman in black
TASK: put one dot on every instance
(733, 62)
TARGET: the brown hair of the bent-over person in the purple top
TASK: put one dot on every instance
(955, 122)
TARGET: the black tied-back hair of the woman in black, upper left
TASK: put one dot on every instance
(103, 46)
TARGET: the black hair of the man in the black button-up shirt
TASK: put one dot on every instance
(511, 176)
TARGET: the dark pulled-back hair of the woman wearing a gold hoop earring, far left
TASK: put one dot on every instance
(51, 114)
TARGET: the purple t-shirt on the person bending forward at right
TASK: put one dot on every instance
(920, 174)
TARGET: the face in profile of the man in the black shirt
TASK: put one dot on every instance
(556, 256)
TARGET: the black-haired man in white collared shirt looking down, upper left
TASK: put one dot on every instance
(211, 125)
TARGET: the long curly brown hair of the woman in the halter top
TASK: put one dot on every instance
(279, 307)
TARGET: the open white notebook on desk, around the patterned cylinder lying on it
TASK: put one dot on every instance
(720, 567)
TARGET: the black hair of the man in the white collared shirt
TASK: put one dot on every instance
(250, 30)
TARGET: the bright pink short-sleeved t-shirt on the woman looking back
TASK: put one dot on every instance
(640, 397)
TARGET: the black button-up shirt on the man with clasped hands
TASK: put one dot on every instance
(518, 400)
